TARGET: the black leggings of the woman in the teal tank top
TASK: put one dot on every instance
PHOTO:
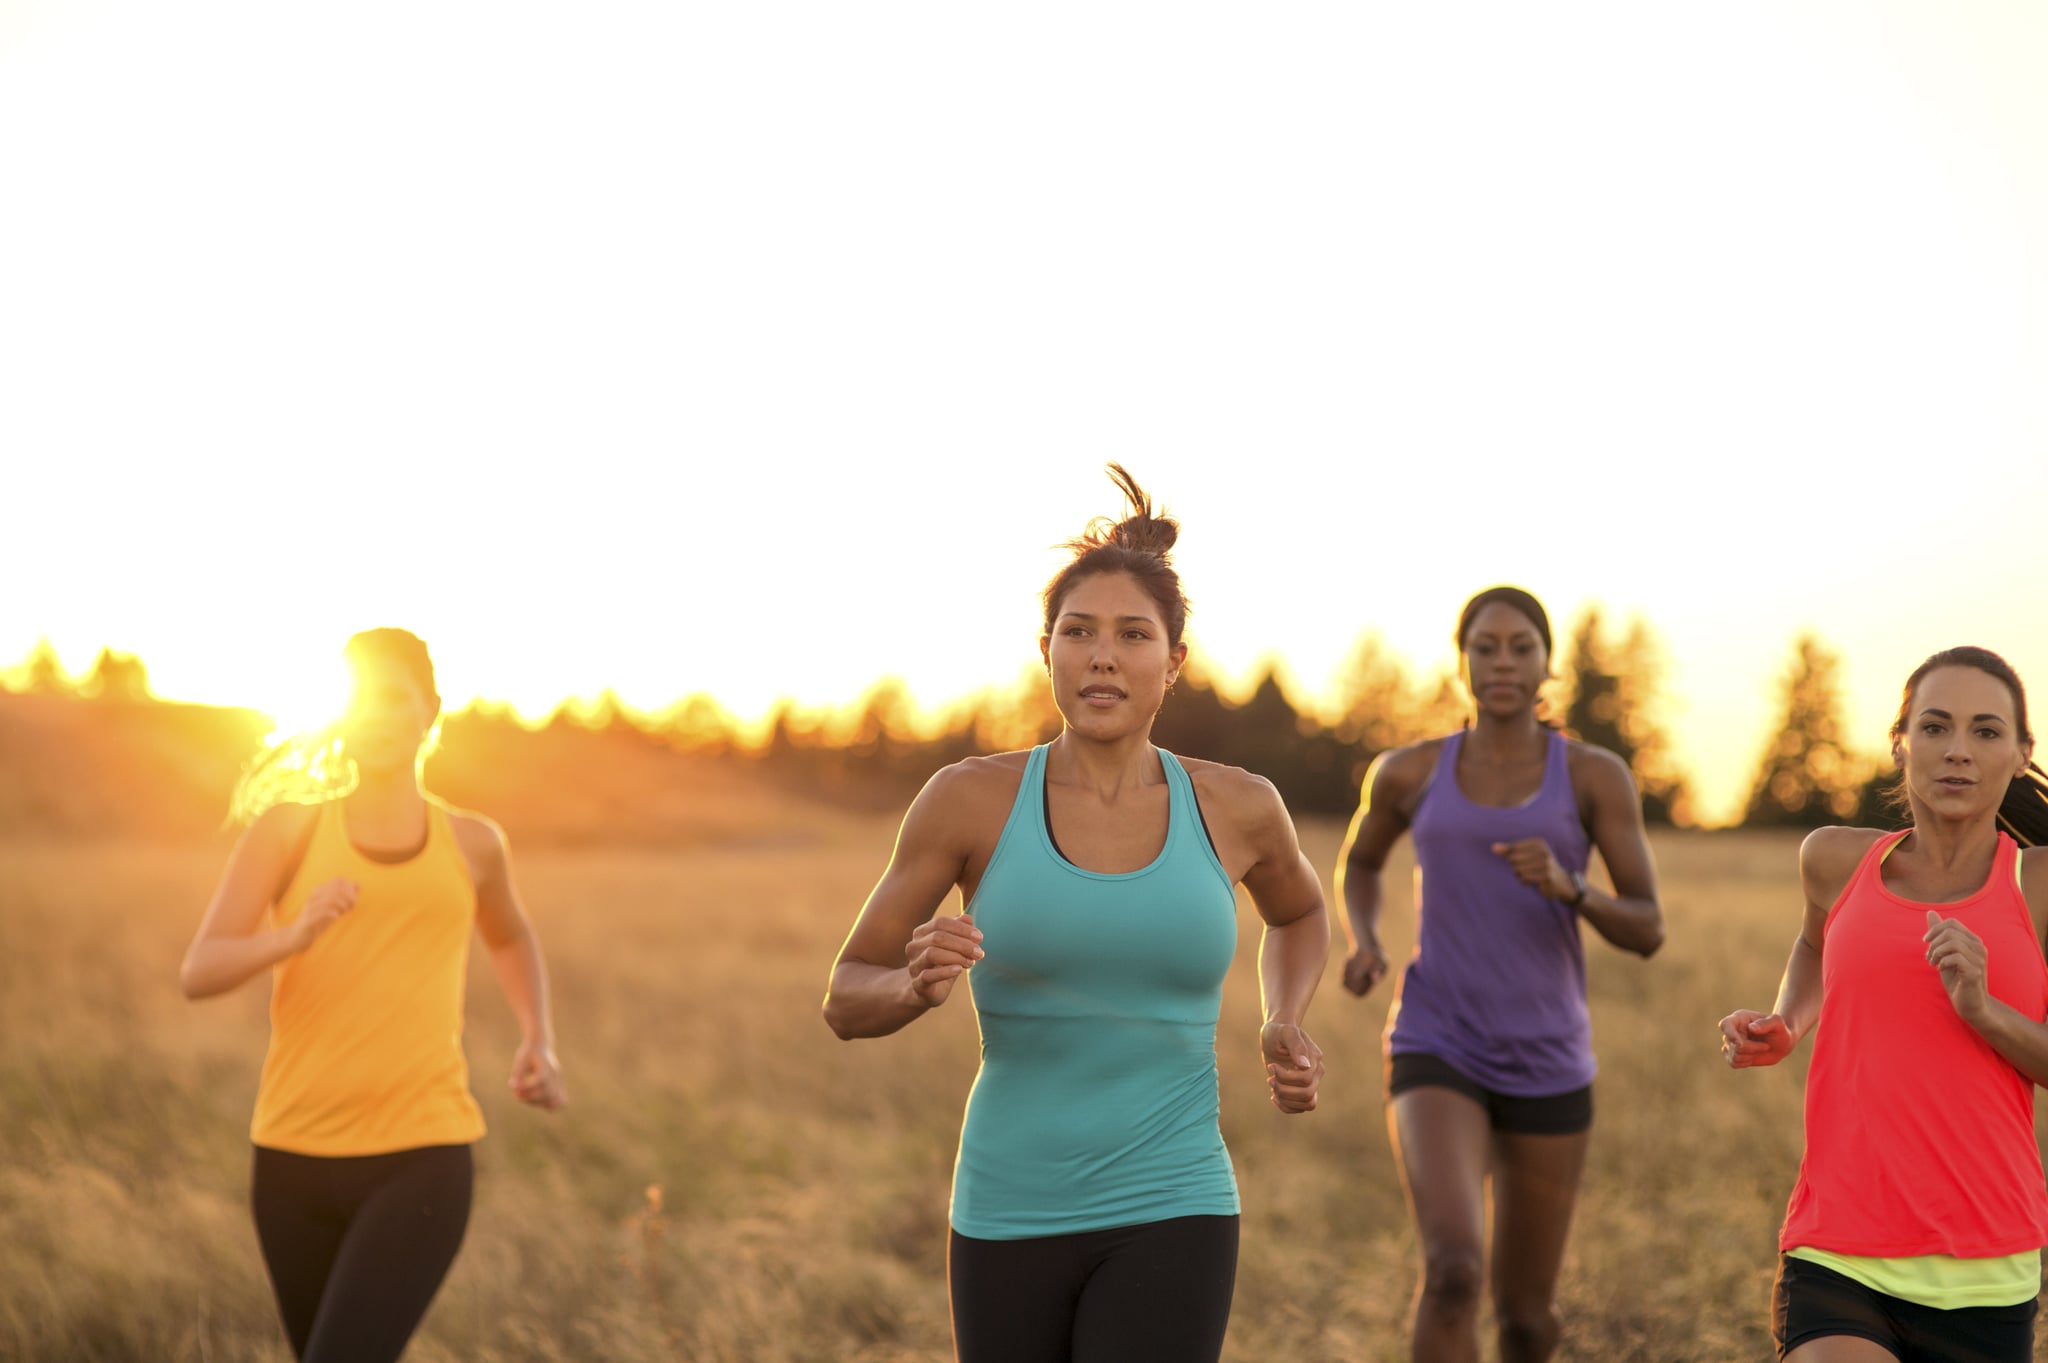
(1138, 1294)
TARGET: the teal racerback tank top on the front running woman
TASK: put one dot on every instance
(1097, 998)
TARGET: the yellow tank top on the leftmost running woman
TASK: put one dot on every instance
(368, 1024)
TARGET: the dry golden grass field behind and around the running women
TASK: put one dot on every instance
(736, 1186)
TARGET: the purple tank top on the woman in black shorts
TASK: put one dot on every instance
(1498, 979)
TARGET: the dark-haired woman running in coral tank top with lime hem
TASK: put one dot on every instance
(1918, 1219)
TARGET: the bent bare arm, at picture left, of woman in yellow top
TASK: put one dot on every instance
(232, 947)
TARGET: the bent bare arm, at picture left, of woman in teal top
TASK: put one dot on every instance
(900, 961)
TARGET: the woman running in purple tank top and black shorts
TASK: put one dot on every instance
(1490, 1059)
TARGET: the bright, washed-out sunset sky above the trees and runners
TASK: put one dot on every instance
(769, 349)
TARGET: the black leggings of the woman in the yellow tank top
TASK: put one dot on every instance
(357, 1245)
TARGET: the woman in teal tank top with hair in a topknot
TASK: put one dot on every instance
(1095, 1211)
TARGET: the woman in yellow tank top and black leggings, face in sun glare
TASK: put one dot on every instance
(361, 908)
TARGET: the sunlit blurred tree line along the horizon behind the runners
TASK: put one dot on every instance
(1611, 691)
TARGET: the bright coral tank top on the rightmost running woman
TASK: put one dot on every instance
(1920, 1137)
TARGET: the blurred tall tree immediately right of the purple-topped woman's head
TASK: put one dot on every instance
(1613, 703)
